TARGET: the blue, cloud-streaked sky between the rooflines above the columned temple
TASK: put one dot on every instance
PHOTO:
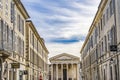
(63, 24)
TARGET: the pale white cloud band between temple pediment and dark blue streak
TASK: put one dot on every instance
(57, 48)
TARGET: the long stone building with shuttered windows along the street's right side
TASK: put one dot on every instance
(100, 52)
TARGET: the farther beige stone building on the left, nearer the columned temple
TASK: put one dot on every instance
(37, 54)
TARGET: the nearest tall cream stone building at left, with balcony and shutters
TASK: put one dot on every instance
(12, 39)
